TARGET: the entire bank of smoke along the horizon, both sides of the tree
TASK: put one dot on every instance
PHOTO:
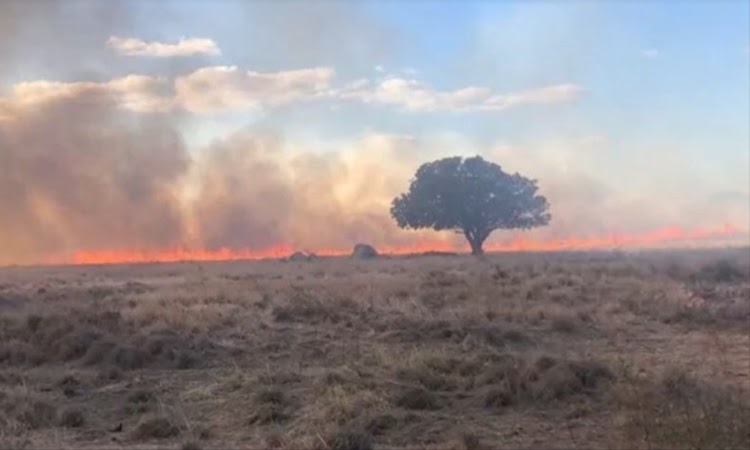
(79, 172)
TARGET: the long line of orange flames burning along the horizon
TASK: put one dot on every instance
(659, 237)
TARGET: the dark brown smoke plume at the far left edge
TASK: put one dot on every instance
(78, 172)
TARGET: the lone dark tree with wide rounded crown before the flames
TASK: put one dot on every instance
(472, 196)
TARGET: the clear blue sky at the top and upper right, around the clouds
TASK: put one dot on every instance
(697, 81)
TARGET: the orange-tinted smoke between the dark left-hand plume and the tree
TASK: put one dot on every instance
(256, 191)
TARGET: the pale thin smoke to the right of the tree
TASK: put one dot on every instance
(586, 199)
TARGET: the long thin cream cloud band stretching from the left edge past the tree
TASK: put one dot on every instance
(227, 89)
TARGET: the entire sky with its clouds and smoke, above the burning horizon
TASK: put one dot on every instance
(141, 125)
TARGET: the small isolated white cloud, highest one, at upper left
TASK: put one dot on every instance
(183, 47)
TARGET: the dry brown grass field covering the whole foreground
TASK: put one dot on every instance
(594, 350)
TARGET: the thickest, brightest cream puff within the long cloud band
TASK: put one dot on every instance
(227, 88)
